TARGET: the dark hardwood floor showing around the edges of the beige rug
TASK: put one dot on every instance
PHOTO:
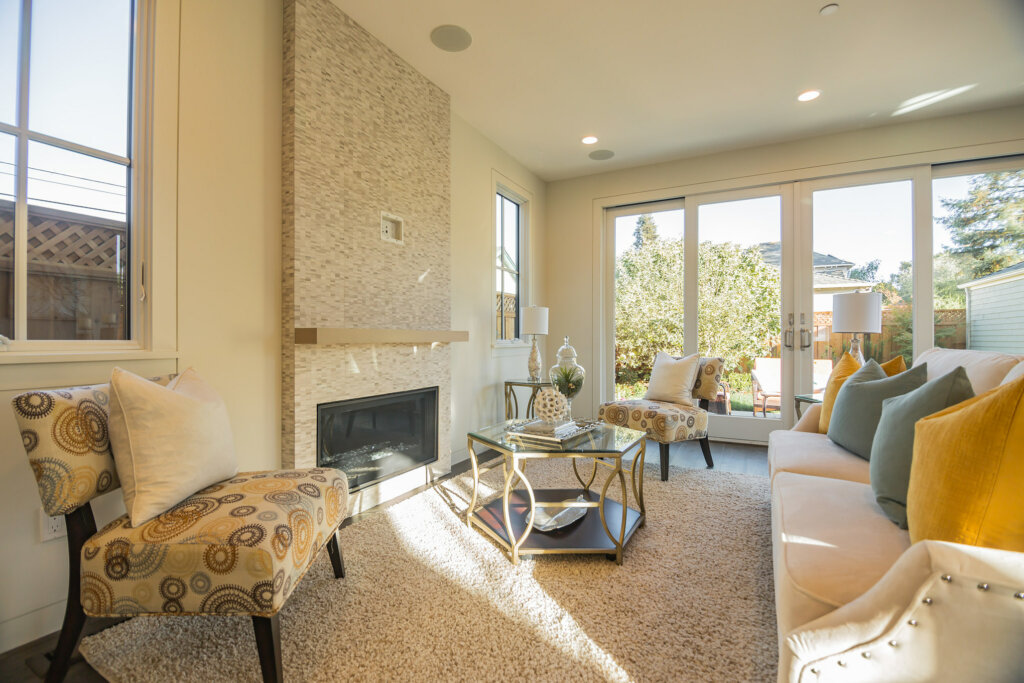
(28, 664)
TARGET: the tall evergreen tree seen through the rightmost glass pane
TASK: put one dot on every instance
(989, 225)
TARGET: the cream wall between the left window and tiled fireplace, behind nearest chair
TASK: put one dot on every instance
(222, 150)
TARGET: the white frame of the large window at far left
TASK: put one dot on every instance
(140, 222)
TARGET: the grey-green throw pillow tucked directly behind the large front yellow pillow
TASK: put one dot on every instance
(893, 447)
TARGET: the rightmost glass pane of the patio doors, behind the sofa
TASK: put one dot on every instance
(978, 268)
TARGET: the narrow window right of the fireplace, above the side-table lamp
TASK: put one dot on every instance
(508, 268)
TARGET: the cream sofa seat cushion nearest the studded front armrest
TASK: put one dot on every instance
(831, 543)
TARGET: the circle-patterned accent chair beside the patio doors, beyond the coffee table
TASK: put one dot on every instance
(669, 423)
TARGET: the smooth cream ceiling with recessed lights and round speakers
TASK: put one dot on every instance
(664, 79)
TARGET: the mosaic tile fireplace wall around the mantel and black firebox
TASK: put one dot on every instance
(364, 134)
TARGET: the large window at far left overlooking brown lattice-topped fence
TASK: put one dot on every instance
(68, 170)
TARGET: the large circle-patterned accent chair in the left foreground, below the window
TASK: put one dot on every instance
(239, 547)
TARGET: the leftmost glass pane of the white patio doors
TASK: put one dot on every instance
(649, 295)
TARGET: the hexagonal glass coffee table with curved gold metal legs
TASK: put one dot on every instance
(509, 519)
